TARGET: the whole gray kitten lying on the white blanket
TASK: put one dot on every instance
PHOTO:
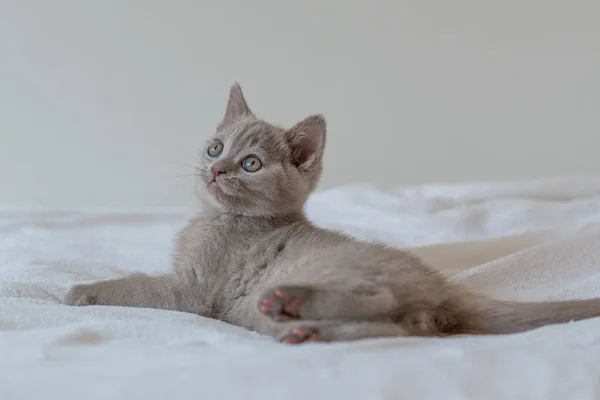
(251, 258)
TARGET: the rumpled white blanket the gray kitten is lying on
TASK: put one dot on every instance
(532, 240)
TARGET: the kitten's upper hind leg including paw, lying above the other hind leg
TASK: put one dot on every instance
(283, 303)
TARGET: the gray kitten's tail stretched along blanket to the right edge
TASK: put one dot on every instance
(490, 316)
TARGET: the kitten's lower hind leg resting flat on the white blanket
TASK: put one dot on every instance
(340, 331)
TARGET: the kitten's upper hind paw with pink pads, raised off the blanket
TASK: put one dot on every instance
(283, 303)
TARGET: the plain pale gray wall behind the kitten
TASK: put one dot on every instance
(98, 99)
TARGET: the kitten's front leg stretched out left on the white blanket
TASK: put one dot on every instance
(140, 290)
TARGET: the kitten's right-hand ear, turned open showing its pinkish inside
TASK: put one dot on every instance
(307, 141)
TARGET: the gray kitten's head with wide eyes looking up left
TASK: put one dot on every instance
(254, 168)
